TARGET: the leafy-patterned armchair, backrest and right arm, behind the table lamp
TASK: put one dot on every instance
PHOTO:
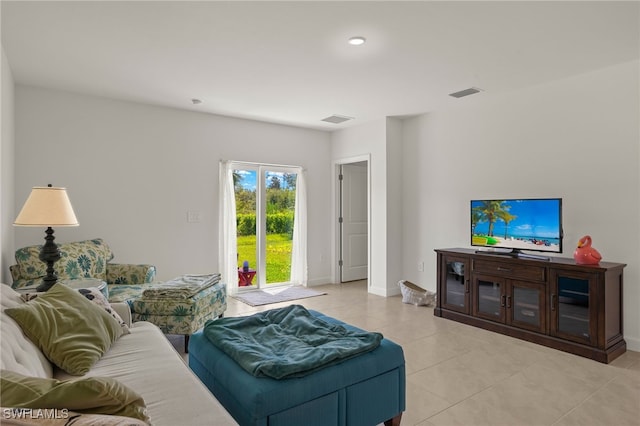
(78, 260)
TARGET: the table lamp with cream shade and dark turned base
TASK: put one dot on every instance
(47, 207)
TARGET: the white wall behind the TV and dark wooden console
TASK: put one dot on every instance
(576, 138)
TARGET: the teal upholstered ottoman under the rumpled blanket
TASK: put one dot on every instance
(362, 391)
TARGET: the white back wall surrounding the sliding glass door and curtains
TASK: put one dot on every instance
(134, 171)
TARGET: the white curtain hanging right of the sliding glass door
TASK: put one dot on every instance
(299, 251)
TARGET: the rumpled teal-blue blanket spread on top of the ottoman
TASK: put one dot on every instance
(287, 342)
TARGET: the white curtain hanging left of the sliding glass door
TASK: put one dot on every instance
(227, 242)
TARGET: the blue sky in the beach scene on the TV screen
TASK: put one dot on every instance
(534, 218)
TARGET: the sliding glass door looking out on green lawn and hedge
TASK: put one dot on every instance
(265, 199)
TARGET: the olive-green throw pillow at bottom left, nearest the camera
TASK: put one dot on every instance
(95, 395)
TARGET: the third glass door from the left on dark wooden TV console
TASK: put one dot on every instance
(526, 306)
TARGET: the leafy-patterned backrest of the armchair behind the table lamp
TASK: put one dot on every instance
(80, 259)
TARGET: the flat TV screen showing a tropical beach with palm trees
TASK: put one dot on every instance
(517, 224)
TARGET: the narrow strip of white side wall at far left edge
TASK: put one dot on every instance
(7, 214)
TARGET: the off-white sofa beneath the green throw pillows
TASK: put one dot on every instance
(143, 360)
